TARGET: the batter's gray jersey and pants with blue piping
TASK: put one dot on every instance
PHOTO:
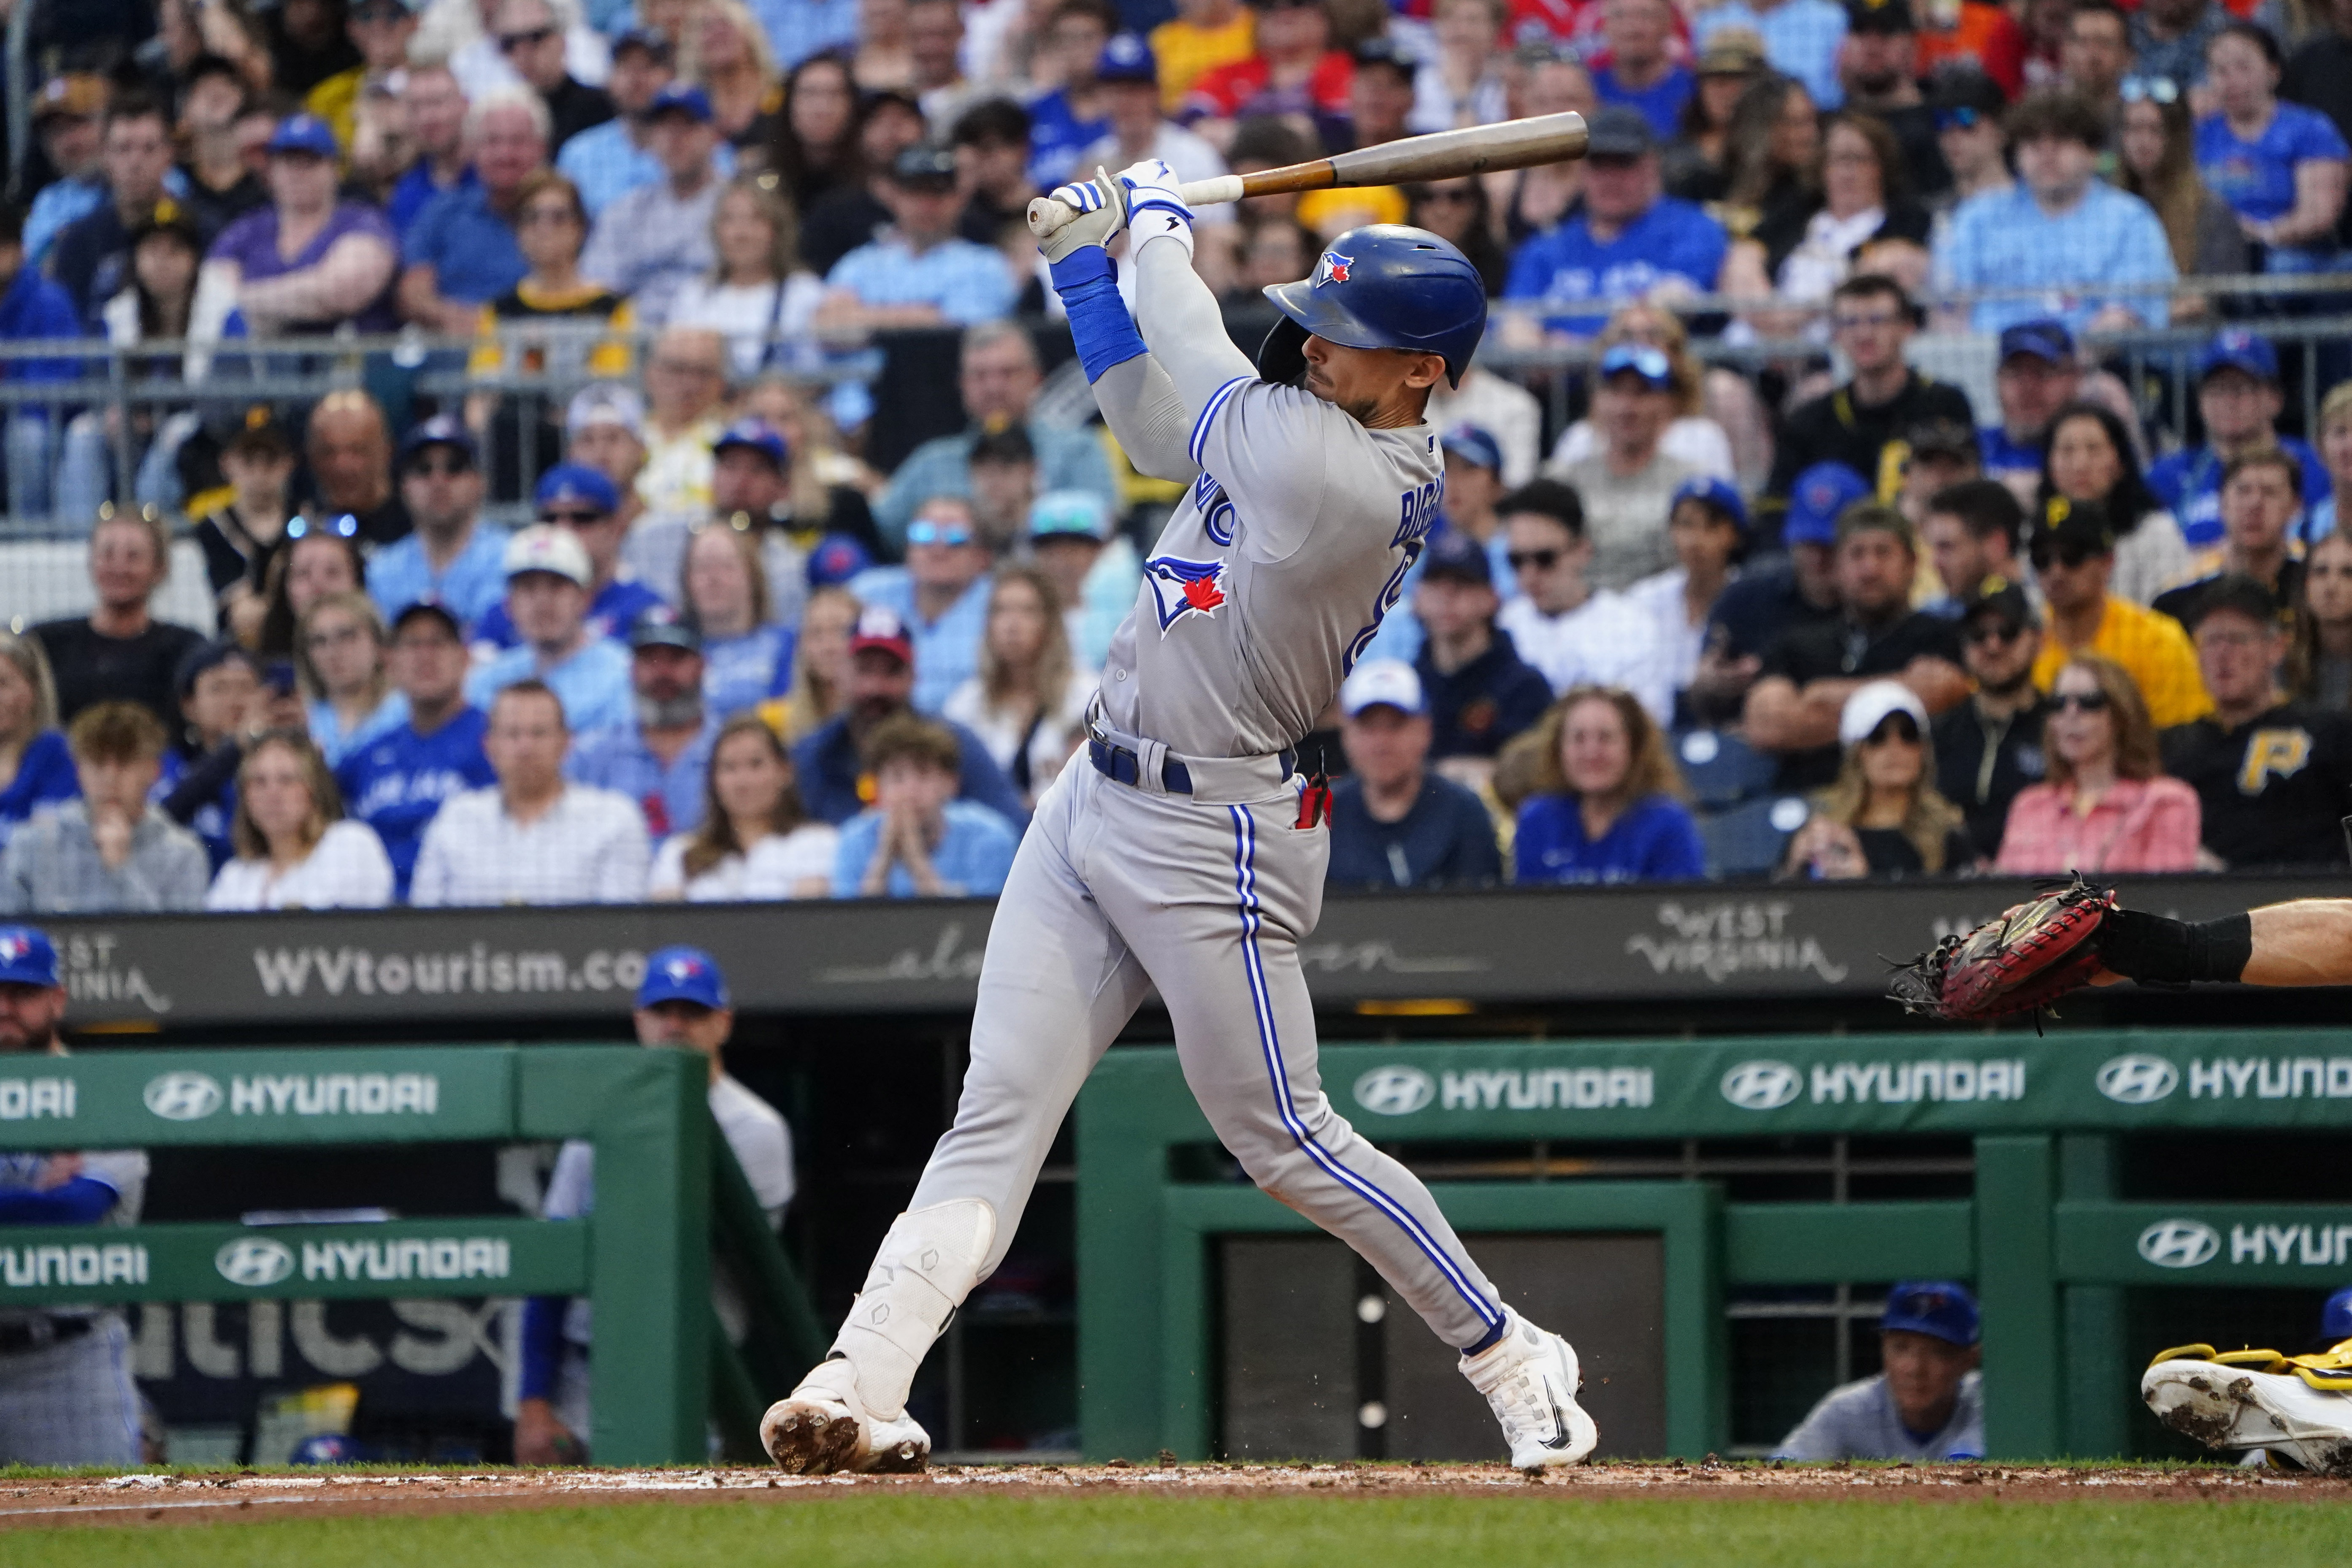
(1267, 582)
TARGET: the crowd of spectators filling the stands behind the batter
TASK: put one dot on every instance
(1824, 617)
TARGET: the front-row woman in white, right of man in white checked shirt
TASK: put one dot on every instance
(756, 840)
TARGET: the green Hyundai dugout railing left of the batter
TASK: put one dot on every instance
(667, 1193)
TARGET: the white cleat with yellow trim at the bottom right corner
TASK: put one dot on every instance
(2243, 1400)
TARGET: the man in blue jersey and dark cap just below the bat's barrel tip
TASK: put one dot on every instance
(1629, 243)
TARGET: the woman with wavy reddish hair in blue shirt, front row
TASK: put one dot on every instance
(1605, 798)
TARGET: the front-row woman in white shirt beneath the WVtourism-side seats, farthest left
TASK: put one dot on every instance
(295, 850)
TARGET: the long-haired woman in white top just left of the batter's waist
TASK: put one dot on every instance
(1027, 704)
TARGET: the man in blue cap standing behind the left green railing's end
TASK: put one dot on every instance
(683, 1003)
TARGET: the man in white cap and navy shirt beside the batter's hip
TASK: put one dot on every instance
(1394, 822)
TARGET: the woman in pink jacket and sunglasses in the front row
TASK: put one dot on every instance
(2104, 805)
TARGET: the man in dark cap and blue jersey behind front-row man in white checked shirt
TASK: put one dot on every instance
(399, 782)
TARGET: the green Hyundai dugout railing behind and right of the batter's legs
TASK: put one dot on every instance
(2043, 1238)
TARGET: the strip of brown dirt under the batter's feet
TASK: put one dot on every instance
(194, 1499)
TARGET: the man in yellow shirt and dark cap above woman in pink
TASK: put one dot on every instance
(2073, 554)
